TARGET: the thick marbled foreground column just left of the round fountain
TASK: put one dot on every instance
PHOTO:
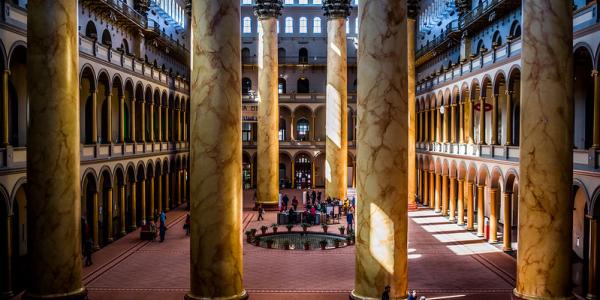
(216, 152)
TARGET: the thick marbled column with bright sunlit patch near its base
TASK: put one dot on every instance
(382, 150)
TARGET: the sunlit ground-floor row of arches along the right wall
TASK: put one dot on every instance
(477, 195)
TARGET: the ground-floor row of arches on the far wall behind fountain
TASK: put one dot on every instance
(300, 170)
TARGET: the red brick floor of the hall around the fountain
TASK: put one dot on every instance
(445, 262)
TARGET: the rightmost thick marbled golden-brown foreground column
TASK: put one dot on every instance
(543, 263)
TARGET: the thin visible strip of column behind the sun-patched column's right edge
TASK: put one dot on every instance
(412, 104)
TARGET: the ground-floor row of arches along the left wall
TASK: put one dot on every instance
(115, 200)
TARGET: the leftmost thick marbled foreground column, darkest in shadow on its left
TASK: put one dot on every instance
(54, 192)
